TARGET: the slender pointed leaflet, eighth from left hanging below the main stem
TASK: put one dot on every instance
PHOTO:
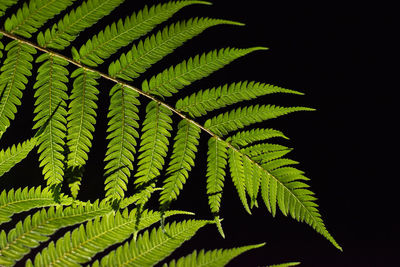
(239, 175)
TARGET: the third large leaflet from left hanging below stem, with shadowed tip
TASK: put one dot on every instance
(81, 119)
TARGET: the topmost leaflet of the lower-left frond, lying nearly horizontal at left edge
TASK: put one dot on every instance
(20, 200)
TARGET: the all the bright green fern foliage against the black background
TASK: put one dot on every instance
(152, 146)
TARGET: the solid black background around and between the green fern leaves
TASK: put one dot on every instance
(341, 56)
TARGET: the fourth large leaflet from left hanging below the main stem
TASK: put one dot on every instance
(122, 134)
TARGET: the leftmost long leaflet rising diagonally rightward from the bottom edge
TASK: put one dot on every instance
(80, 245)
